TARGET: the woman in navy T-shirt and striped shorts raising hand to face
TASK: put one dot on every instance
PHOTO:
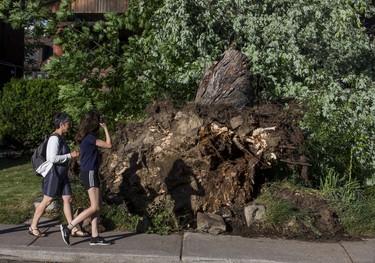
(87, 137)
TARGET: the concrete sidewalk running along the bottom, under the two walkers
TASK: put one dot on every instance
(17, 244)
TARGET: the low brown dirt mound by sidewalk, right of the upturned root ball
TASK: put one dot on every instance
(317, 221)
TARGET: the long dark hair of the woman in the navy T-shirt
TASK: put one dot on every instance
(89, 125)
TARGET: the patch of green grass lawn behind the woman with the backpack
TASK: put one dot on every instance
(19, 187)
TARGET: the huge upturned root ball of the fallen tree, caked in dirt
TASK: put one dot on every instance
(211, 159)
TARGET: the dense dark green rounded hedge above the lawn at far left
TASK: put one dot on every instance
(27, 108)
